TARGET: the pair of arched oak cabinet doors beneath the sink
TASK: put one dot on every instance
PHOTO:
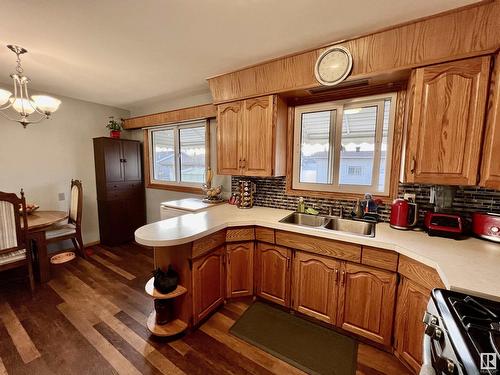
(354, 297)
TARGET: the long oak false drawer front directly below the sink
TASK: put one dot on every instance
(332, 248)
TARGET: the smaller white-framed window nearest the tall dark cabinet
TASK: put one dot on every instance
(178, 154)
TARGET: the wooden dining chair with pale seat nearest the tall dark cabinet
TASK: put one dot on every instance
(72, 230)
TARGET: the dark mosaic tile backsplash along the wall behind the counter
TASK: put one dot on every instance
(271, 192)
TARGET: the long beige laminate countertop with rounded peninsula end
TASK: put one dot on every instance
(471, 265)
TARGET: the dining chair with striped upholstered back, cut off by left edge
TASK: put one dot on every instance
(14, 248)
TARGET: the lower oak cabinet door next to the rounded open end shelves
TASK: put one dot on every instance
(208, 283)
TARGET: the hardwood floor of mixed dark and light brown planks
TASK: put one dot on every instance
(91, 319)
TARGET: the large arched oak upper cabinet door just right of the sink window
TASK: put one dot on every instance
(446, 105)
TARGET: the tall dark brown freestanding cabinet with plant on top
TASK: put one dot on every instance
(120, 189)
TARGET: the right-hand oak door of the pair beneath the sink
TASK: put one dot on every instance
(366, 302)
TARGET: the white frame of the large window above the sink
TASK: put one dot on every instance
(335, 141)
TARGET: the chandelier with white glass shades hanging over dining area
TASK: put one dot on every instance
(21, 102)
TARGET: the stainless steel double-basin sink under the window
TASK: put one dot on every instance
(333, 223)
